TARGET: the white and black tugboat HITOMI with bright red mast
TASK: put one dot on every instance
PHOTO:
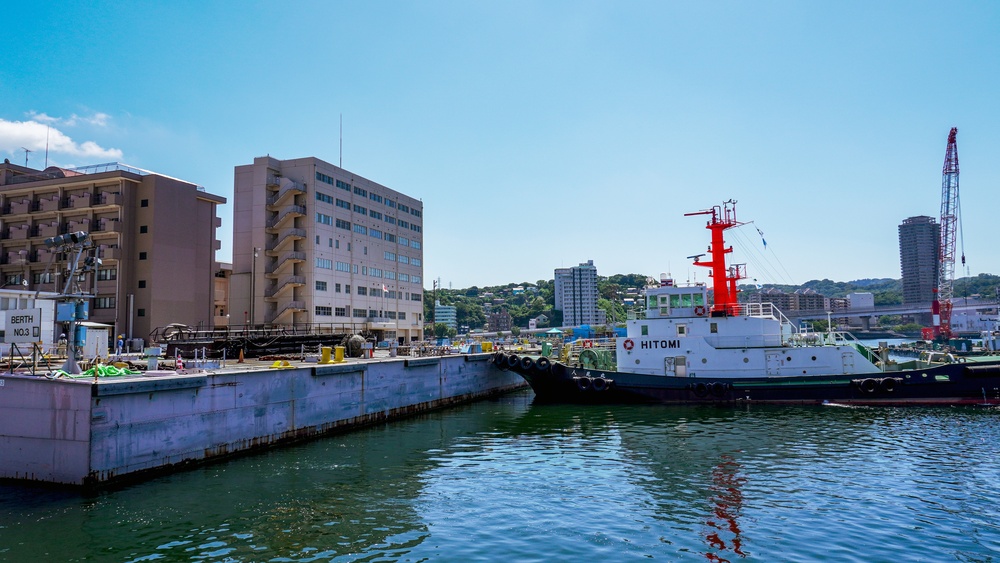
(683, 350)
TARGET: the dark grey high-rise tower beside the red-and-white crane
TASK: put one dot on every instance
(919, 249)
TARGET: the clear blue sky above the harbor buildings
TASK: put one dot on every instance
(540, 135)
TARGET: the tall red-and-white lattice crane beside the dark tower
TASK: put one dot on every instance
(941, 307)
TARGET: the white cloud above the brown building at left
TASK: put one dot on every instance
(35, 134)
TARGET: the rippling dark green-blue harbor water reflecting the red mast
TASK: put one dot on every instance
(510, 480)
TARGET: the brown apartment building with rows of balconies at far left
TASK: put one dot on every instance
(155, 236)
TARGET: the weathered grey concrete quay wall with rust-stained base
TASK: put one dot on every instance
(81, 432)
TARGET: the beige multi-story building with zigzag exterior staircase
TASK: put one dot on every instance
(318, 247)
